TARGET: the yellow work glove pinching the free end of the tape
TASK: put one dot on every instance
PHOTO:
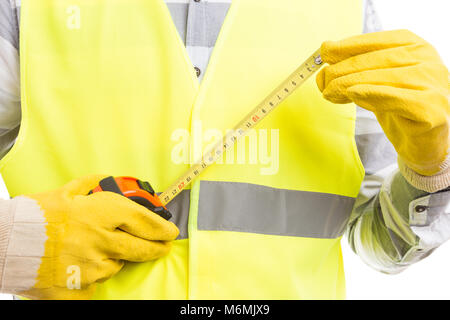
(401, 78)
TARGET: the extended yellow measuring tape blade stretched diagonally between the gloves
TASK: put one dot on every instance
(294, 81)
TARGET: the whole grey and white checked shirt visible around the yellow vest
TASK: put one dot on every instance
(384, 228)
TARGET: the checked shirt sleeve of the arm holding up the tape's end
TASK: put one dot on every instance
(393, 224)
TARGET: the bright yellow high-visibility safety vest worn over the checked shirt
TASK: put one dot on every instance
(106, 86)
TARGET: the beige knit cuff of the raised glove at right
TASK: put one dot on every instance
(439, 181)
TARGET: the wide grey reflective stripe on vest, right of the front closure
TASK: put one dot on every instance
(242, 207)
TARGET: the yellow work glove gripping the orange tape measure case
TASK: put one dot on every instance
(93, 235)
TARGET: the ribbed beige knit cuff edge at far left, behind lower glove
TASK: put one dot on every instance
(6, 225)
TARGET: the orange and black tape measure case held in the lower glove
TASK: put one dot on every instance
(136, 190)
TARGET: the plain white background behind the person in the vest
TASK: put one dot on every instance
(430, 278)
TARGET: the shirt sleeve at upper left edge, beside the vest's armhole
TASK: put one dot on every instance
(10, 111)
